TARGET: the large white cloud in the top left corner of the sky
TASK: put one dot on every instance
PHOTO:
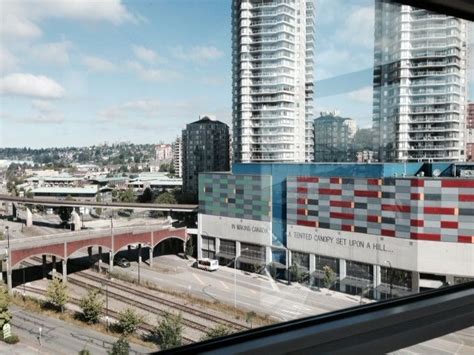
(20, 19)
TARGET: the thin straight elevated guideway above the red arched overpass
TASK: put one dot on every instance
(113, 205)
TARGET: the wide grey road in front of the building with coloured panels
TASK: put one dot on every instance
(254, 292)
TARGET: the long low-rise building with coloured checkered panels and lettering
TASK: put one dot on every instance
(373, 224)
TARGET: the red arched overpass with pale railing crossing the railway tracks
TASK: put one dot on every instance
(63, 246)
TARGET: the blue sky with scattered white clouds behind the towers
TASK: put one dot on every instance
(78, 73)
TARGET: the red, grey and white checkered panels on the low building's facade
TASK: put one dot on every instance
(435, 209)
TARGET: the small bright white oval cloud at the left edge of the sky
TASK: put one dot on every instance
(24, 84)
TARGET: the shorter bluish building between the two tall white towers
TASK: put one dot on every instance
(334, 138)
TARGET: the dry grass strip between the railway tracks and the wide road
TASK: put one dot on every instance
(258, 320)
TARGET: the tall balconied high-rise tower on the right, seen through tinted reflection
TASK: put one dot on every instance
(419, 84)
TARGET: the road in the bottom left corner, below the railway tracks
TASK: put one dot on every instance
(58, 337)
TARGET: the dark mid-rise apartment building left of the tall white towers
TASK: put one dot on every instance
(205, 145)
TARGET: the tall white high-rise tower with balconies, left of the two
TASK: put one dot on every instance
(272, 80)
